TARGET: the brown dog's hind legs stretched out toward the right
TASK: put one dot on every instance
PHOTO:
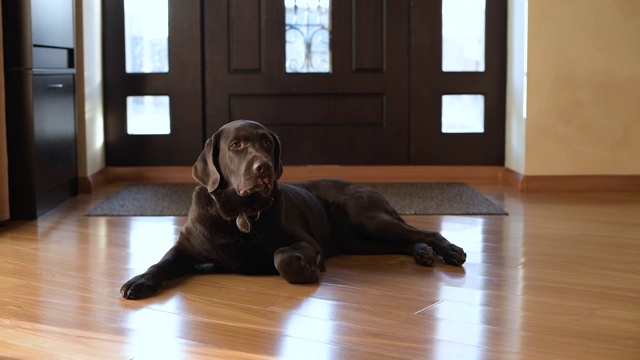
(380, 232)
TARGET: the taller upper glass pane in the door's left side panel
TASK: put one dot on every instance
(146, 36)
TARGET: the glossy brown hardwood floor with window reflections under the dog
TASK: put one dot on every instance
(556, 279)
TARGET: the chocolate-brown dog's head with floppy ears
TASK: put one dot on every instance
(243, 156)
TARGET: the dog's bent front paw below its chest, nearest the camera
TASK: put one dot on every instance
(299, 263)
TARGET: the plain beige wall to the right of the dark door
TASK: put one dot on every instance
(583, 89)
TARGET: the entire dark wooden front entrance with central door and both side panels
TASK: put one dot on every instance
(340, 81)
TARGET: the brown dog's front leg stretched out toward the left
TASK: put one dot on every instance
(175, 263)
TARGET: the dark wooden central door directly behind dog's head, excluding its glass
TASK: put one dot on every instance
(356, 114)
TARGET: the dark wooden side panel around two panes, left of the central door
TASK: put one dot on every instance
(182, 83)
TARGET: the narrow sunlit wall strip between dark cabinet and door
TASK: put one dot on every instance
(89, 87)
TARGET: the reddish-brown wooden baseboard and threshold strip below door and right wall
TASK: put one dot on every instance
(392, 173)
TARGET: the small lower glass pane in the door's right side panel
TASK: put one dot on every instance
(463, 113)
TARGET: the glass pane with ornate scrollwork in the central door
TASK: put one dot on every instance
(307, 36)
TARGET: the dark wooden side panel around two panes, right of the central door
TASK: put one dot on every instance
(429, 145)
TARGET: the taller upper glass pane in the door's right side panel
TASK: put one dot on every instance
(463, 35)
